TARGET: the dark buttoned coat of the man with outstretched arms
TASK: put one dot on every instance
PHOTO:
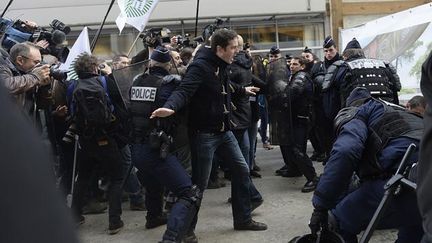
(206, 88)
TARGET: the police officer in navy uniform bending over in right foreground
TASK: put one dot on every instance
(373, 136)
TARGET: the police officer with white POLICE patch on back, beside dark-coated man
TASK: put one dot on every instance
(151, 151)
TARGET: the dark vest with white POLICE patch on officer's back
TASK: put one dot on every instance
(148, 92)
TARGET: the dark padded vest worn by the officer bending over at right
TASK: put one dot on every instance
(395, 122)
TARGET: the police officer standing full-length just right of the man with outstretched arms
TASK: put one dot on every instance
(293, 119)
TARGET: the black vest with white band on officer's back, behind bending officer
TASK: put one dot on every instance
(371, 74)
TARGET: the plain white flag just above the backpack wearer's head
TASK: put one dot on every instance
(81, 46)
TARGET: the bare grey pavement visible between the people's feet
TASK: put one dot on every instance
(285, 210)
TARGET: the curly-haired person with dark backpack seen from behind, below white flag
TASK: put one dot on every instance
(96, 125)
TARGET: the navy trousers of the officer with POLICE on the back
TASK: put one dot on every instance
(157, 174)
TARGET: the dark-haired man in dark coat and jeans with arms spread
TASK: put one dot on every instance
(207, 90)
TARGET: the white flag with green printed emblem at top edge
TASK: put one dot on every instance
(135, 13)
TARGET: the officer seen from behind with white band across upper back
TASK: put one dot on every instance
(378, 76)
